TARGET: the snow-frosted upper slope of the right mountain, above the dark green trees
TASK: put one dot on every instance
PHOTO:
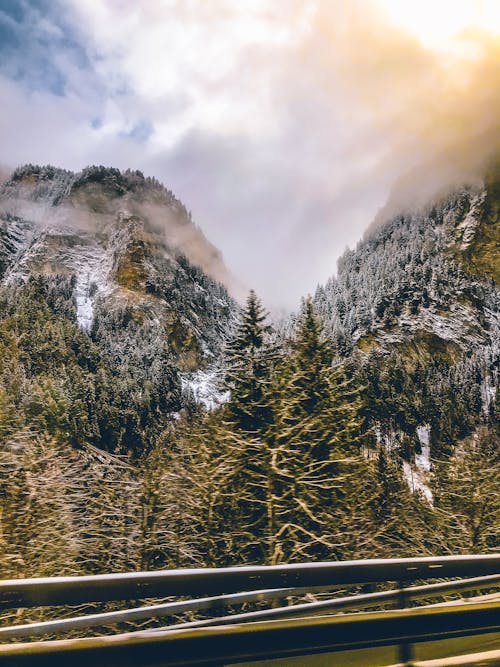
(423, 280)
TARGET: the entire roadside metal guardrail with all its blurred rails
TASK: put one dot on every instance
(192, 643)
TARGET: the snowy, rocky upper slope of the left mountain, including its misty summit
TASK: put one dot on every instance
(131, 250)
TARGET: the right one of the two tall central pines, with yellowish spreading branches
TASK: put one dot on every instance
(317, 449)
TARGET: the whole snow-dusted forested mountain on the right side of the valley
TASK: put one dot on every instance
(416, 305)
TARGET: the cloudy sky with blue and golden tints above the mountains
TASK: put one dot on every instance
(283, 125)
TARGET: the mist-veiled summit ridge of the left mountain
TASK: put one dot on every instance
(88, 201)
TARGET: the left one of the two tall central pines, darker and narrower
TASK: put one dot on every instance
(242, 439)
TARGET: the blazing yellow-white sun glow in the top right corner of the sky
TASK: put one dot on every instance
(441, 24)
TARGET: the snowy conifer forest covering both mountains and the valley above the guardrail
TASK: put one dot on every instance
(148, 420)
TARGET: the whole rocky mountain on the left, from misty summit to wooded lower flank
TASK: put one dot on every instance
(115, 260)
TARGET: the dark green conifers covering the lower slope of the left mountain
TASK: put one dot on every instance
(115, 396)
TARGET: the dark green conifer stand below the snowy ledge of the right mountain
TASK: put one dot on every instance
(402, 393)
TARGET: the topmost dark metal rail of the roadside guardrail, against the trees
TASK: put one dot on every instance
(214, 581)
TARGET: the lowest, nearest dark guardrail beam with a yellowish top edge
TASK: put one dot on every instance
(263, 640)
